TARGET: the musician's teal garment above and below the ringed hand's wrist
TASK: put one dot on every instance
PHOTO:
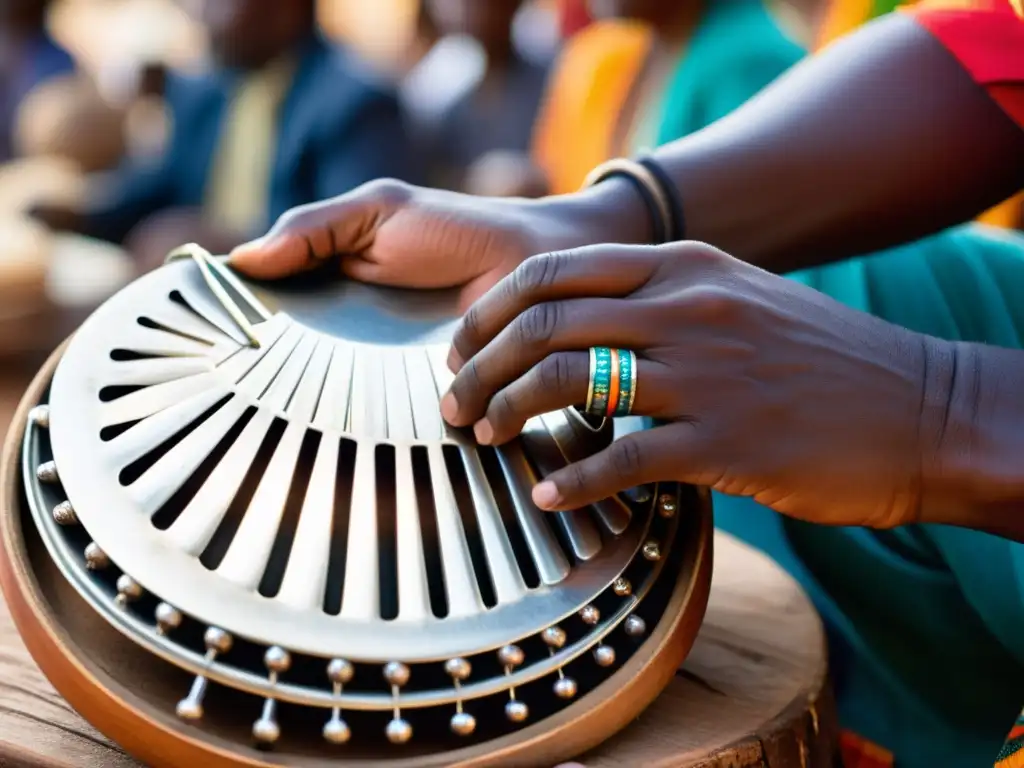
(926, 623)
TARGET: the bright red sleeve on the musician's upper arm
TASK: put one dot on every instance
(988, 38)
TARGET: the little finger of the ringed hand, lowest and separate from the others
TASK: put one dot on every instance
(639, 458)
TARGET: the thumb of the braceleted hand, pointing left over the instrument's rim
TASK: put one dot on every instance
(306, 237)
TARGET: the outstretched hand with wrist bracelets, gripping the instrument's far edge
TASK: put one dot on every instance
(392, 234)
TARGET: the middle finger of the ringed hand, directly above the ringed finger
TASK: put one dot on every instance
(542, 330)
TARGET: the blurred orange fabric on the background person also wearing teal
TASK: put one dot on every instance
(586, 95)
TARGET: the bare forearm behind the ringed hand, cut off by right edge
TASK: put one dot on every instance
(973, 430)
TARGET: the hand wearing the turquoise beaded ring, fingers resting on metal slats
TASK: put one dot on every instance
(764, 389)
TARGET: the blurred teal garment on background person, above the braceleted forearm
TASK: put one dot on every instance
(738, 50)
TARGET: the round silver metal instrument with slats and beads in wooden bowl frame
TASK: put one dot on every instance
(239, 534)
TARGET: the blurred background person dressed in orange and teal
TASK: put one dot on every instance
(650, 72)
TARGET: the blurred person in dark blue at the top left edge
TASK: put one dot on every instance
(28, 57)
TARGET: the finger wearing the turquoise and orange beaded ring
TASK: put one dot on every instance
(560, 381)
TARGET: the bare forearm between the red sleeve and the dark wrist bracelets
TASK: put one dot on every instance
(881, 140)
